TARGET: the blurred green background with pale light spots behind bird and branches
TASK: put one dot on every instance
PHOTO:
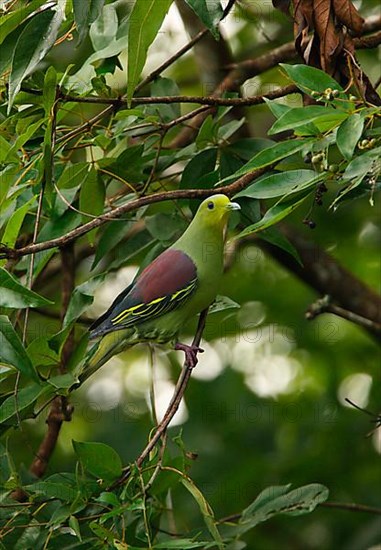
(266, 403)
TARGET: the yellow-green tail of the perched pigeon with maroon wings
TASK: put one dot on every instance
(108, 346)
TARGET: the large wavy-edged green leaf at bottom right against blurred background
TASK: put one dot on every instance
(279, 500)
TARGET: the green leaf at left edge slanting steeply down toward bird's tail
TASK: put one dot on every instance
(12, 352)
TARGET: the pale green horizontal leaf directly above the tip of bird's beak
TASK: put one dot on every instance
(279, 184)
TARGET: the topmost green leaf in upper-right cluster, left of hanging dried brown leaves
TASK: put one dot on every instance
(309, 79)
